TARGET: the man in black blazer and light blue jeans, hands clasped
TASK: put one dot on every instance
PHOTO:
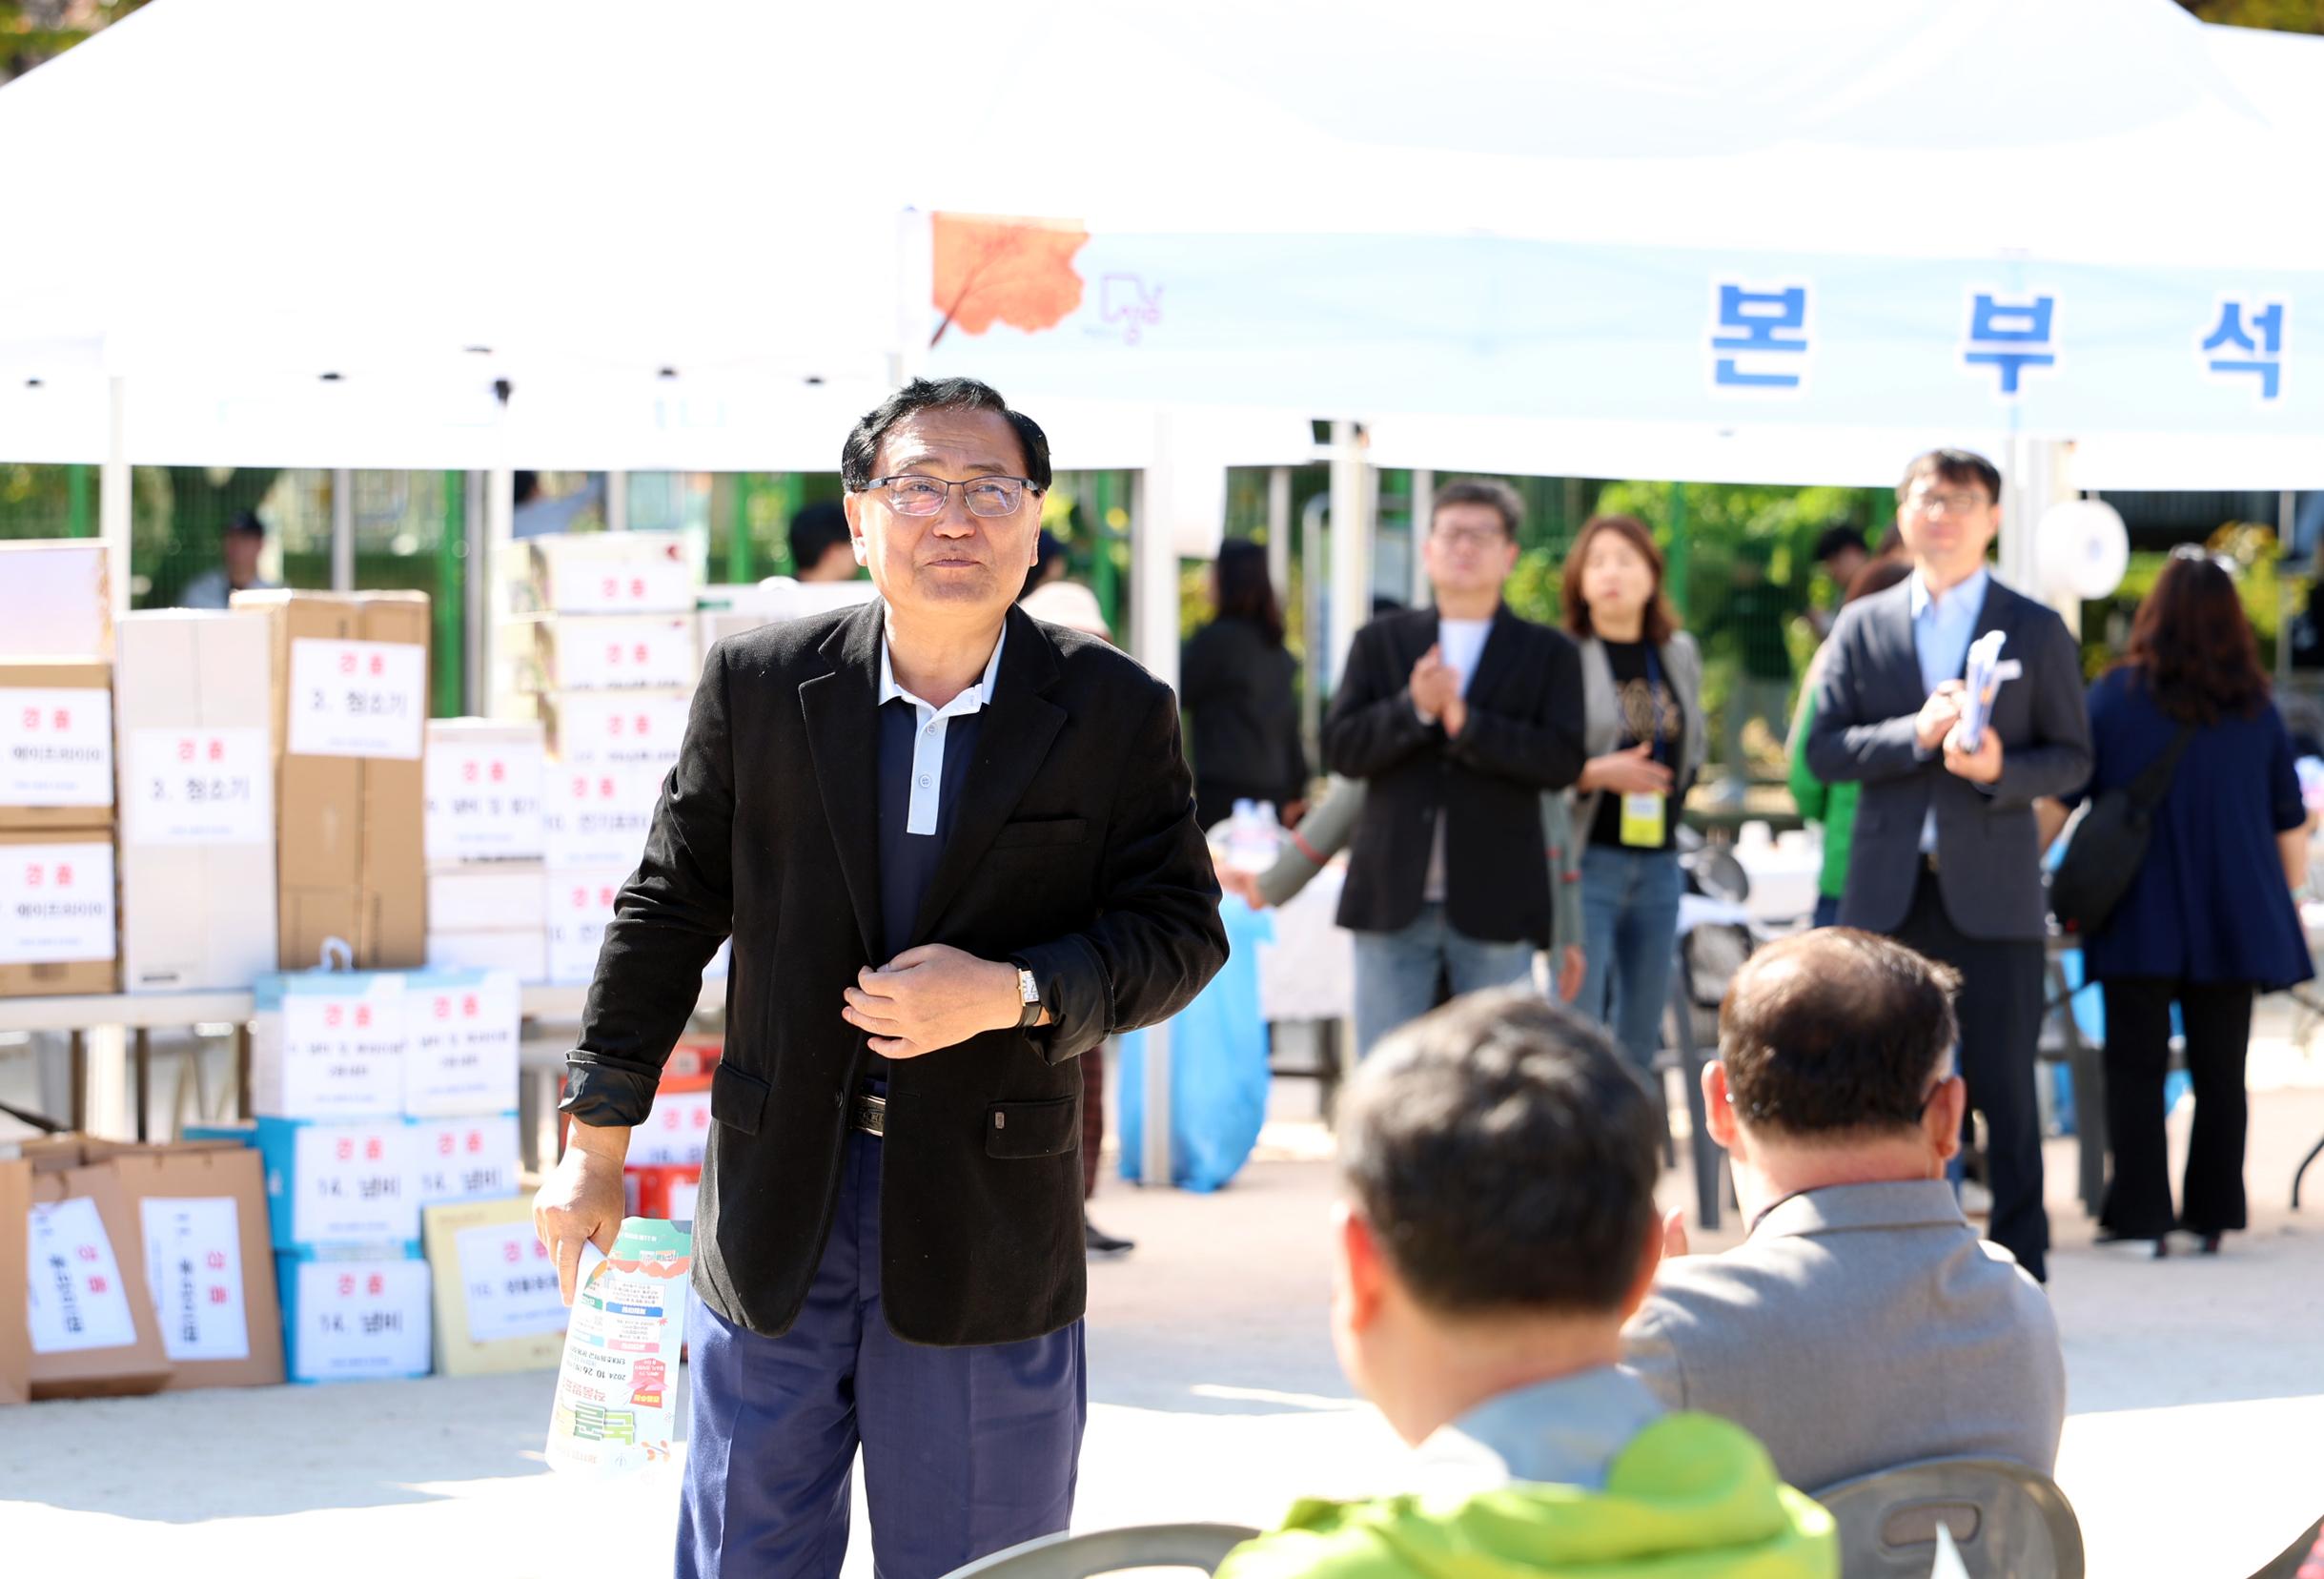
(1456, 717)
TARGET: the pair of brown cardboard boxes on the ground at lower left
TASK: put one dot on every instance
(141, 1269)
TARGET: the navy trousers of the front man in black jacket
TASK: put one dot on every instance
(966, 1450)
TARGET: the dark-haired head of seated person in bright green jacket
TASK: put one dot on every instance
(1505, 1159)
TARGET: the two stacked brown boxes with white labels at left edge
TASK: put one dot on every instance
(57, 827)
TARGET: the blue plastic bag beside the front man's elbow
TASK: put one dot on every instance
(1217, 1069)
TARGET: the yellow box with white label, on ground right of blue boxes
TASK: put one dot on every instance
(496, 1289)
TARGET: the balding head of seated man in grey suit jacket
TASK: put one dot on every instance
(1835, 1066)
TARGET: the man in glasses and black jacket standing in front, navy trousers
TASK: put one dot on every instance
(954, 850)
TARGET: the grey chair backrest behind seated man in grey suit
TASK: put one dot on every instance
(2007, 1520)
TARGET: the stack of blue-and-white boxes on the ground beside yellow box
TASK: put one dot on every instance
(380, 1094)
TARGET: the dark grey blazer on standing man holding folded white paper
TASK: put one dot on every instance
(1988, 845)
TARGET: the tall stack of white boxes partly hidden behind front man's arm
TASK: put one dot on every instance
(615, 673)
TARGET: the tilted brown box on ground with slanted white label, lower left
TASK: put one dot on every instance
(89, 1313)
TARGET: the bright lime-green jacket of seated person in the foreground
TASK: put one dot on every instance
(1691, 1499)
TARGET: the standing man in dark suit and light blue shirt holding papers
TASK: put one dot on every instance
(1944, 852)
